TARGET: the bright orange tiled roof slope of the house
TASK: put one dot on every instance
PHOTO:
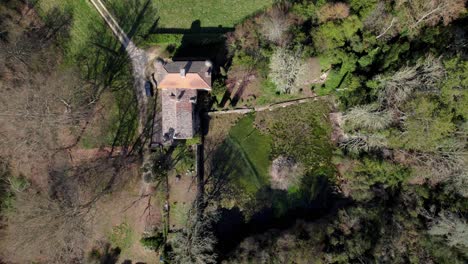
(190, 81)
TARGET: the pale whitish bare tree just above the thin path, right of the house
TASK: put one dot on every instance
(288, 71)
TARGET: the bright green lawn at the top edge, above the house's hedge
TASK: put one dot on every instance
(211, 13)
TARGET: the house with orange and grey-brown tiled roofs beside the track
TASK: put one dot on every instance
(179, 83)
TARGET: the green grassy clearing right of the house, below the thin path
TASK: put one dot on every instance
(241, 149)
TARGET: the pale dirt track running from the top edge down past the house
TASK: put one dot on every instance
(138, 57)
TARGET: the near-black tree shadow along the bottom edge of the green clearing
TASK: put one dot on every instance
(278, 210)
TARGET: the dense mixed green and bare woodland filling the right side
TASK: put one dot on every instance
(398, 70)
